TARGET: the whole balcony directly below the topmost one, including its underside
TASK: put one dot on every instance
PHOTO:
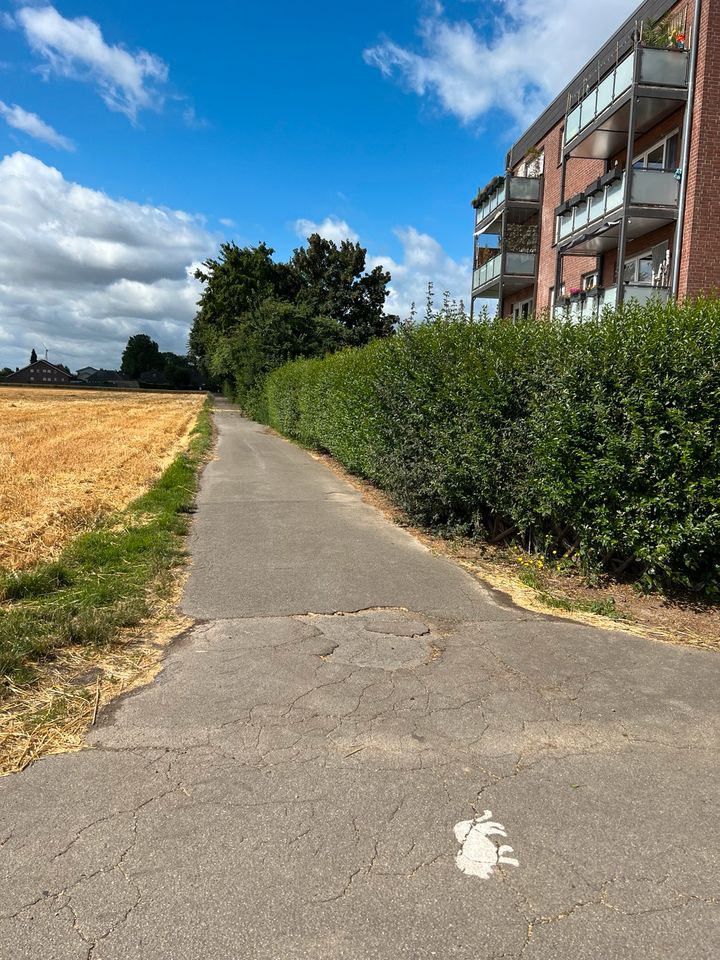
(589, 224)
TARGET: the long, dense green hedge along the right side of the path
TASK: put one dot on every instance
(600, 437)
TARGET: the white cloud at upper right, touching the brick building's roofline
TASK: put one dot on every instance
(513, 61)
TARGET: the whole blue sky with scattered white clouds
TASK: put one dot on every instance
(137, 136)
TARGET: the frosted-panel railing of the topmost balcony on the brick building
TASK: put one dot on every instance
(658, 68)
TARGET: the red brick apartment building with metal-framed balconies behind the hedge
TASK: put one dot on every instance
(572, 224)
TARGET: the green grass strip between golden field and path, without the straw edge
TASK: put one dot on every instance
(106, 579)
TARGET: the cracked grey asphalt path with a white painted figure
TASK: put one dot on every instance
(338, 758)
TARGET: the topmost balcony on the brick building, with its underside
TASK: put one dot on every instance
(598, 126)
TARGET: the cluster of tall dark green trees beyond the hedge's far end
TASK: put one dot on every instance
(255, 314)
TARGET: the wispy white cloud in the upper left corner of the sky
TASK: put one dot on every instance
(127, 82)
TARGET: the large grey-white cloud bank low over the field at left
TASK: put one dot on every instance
(81, 271)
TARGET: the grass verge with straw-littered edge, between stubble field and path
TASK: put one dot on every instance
(77, 629)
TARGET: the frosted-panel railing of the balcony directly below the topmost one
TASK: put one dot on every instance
(648, 188)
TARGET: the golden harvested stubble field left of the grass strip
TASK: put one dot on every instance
(70, 457)
